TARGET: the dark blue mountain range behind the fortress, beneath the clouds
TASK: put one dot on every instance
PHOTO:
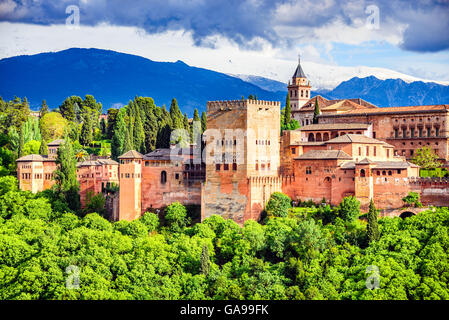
(114, 78)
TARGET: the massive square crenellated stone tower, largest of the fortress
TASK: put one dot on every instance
(242, 158)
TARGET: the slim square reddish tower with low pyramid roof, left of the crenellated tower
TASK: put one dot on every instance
(130, 185)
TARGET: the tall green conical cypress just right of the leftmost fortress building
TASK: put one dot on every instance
(67, 184)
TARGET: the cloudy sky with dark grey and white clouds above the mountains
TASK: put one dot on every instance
(260, 37)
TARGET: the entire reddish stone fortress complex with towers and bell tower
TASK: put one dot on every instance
(356, 149)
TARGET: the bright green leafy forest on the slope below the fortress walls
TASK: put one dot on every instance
(315, 252)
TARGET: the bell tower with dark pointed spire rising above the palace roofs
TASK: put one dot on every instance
(299, 88)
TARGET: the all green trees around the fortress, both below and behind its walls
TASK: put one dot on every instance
(50, 248)
